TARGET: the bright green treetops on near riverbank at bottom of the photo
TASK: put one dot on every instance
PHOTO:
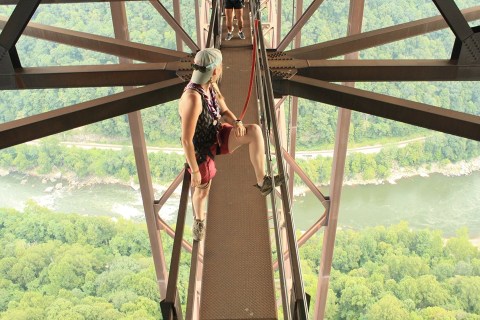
(66, 266)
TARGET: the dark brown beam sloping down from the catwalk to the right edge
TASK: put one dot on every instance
(414, 113)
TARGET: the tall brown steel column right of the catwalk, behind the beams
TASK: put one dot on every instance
(338, 168)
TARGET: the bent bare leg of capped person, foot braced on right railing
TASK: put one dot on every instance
(256, 148)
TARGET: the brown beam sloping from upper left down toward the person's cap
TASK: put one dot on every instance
(122, 48)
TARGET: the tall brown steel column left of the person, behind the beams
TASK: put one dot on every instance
(119, 18)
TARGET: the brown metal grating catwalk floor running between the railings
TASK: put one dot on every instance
(237, 278)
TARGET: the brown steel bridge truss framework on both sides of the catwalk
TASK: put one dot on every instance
(300, 72)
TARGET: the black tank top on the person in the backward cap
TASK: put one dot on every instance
(205, 136)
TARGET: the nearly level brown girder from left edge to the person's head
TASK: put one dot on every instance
(87, 76)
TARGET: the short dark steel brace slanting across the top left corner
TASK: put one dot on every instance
(12, 31)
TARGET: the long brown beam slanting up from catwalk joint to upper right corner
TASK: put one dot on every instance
(358, 42)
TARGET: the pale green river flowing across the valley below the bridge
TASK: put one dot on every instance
(435, 202)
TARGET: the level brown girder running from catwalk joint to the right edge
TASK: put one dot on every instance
(377, 70)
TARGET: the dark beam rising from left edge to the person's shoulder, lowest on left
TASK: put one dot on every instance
(56, 121)
